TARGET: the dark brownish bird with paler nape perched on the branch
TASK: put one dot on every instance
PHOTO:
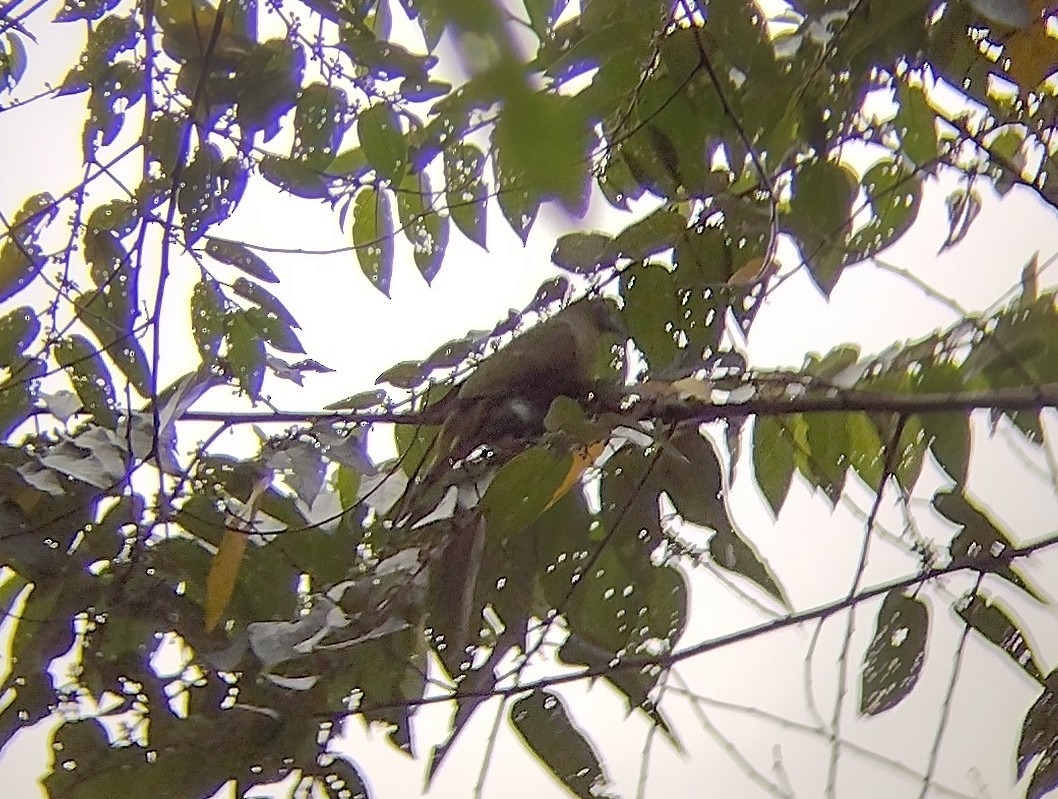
(508, 395)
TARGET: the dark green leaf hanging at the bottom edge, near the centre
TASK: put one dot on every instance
(545, 727)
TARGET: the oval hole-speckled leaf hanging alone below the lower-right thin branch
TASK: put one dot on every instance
(897, 655)
